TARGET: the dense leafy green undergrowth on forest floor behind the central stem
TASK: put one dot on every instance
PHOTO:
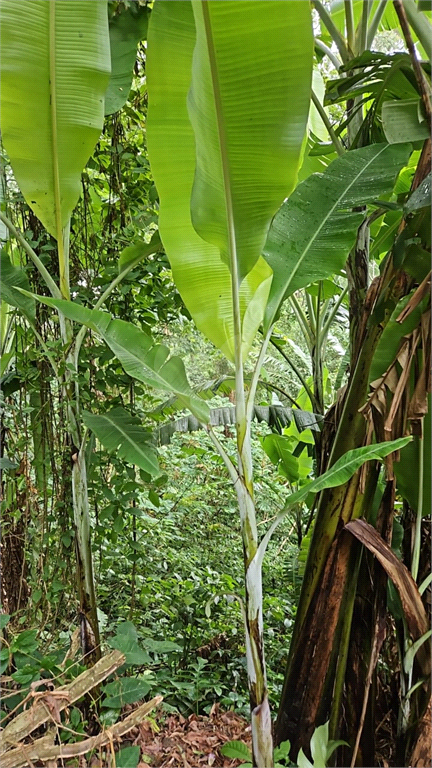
(174, 584)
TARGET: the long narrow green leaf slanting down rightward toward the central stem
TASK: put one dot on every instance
(137, 352)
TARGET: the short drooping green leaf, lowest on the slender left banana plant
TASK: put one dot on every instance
(120, 431)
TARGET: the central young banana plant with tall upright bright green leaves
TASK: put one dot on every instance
(221, 171)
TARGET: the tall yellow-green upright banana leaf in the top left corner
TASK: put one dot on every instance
(55, 65)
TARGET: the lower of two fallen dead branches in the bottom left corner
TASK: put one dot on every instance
(26, 754)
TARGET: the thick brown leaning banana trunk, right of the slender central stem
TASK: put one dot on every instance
(326, 573)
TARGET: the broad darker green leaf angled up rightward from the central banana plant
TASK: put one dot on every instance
(314, 230)
